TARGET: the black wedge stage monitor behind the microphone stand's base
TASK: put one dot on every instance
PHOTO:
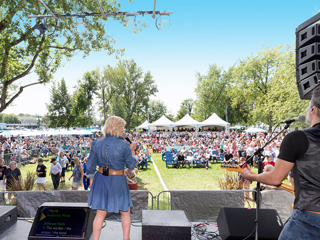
(239, 223)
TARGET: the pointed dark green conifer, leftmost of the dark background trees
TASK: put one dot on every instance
(59, 108)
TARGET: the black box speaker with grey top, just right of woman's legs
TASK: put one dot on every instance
(164, 225)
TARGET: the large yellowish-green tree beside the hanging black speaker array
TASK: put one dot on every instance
(266, 84)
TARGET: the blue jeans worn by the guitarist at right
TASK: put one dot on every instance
(301, 225)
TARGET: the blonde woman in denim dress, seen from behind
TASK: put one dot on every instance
(109, 189)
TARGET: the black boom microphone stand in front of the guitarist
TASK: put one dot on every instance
(260, 170)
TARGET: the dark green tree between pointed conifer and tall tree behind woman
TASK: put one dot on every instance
(82, 98)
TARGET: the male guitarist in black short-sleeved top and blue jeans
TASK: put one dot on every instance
(300, 151)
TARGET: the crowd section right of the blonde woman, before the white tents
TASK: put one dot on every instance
(188, 146)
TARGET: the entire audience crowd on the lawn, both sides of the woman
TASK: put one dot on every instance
(70, 153)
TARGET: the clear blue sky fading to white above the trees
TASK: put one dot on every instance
(201, 33)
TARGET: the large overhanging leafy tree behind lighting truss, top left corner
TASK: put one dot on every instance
(22, 52)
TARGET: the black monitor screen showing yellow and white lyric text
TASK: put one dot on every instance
(62, 220)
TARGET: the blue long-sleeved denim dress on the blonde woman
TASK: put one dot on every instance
(110, 193)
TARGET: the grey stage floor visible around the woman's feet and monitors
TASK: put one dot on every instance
(112, 230)
